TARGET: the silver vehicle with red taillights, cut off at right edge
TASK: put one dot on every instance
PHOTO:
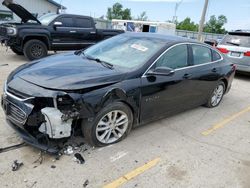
(236, 47)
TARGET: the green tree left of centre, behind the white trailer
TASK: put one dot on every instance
(117, 12)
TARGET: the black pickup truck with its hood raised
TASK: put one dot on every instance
(34, 37)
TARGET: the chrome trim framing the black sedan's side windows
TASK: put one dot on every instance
(188, 67)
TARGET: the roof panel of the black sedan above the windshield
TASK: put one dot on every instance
(167, 38)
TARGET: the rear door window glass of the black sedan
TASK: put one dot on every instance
(201, 54)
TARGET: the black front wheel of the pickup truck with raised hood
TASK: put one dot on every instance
(35, 49)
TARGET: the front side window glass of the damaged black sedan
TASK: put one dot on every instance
(175, 58)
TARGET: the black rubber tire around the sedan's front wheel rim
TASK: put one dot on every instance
(89, 128)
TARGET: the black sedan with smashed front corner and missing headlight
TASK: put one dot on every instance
(109, 88)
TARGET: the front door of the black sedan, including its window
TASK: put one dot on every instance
(166, 95)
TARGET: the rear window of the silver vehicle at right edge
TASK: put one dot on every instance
(236, 40)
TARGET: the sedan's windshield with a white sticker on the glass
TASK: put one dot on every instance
(126, 51)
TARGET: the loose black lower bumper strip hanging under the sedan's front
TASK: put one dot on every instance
(29, 139)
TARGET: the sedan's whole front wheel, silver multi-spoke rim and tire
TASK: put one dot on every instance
(111, 125)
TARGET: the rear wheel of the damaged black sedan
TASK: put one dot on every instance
(217, 95)
